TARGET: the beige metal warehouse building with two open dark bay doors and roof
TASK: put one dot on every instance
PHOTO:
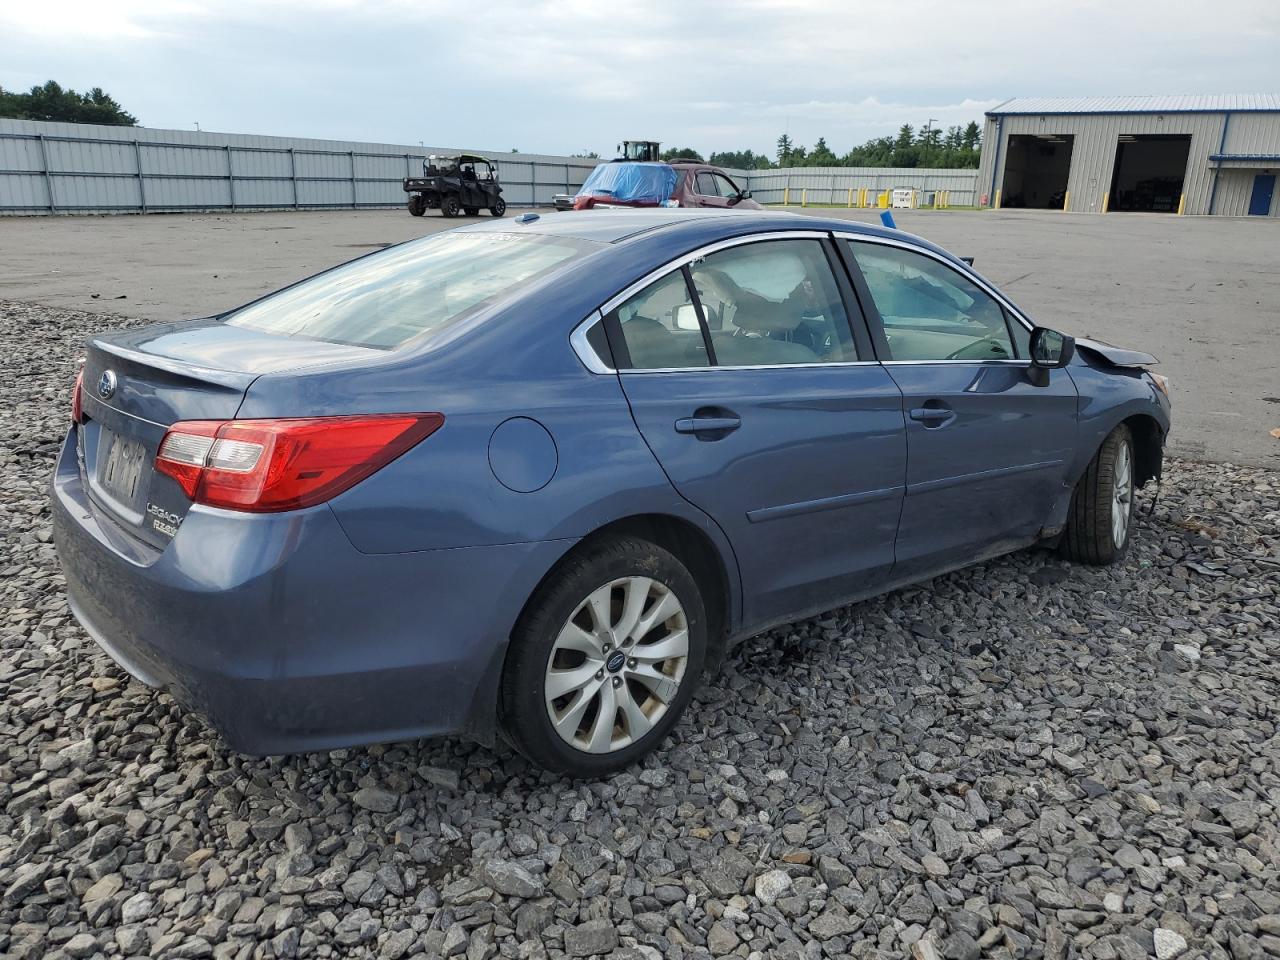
(1164, 154)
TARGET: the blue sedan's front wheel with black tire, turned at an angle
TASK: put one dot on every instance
(1100, 525)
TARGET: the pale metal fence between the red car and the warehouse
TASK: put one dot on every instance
(831, 185)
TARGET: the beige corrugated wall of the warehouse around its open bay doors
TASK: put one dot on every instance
(1094, 154)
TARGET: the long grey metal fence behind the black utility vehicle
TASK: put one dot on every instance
(84, 168)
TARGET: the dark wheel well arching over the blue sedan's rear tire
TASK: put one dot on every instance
(697, 551)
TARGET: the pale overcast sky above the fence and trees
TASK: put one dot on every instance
(583, 75)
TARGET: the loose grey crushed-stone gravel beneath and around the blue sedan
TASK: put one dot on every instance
(1022, 760)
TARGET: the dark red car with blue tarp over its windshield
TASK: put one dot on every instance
(682, 184)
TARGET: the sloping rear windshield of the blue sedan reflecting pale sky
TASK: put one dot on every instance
(388, 299)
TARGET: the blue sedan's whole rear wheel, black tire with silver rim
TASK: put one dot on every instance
(560, 642)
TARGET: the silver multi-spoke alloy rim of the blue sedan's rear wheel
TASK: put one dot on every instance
(616, 665)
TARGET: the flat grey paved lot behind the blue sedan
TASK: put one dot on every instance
(1201, 294)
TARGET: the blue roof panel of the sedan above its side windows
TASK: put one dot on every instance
(621, 226)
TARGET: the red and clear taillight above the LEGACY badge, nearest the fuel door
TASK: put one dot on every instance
(276, 465)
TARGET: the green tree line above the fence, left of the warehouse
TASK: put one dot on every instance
(957, 148)
